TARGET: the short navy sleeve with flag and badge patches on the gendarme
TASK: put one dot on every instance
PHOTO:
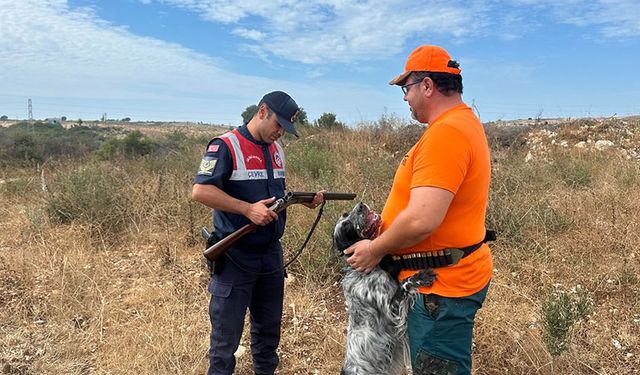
(216, 165)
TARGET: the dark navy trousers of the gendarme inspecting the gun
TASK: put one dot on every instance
(233, 290)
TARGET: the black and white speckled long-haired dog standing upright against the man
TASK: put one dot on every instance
(376, 303)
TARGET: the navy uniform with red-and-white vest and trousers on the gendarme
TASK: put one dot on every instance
(249, 170)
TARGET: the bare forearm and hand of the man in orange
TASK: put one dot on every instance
(425, 212)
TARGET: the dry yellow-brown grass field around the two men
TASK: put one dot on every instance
(77, 301)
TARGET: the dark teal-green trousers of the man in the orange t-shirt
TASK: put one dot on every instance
(440, 333)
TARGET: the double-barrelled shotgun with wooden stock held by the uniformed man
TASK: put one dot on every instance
(218, 249)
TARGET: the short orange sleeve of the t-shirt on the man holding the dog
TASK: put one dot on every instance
(442, 159)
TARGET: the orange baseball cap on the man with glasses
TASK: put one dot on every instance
(427, 59)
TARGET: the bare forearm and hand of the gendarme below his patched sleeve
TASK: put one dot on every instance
(211, 196)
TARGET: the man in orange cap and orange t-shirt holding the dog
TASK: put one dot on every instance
(438, 201)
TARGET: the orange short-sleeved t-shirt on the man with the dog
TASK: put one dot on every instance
(452, 154)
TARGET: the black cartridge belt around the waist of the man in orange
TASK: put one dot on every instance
(439, 258)
